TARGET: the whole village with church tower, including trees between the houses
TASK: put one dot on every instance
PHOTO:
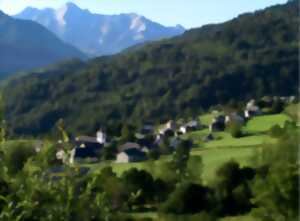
(148, 142)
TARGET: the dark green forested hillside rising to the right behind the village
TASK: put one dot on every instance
(250, 56)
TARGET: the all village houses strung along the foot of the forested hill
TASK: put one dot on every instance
(149, 137)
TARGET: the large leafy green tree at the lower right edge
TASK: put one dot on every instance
(276, 194)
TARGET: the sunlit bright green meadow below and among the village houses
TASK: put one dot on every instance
(218, 151)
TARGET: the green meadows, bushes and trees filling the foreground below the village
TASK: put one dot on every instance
(256, 180)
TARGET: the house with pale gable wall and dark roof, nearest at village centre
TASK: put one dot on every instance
(131, 155)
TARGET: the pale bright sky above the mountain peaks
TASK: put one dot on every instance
(189, 13)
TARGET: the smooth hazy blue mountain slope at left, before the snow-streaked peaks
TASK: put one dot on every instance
(26, 45)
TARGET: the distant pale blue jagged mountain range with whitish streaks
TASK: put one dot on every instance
(97, 34)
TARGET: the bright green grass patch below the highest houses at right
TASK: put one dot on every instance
(264, 123)
